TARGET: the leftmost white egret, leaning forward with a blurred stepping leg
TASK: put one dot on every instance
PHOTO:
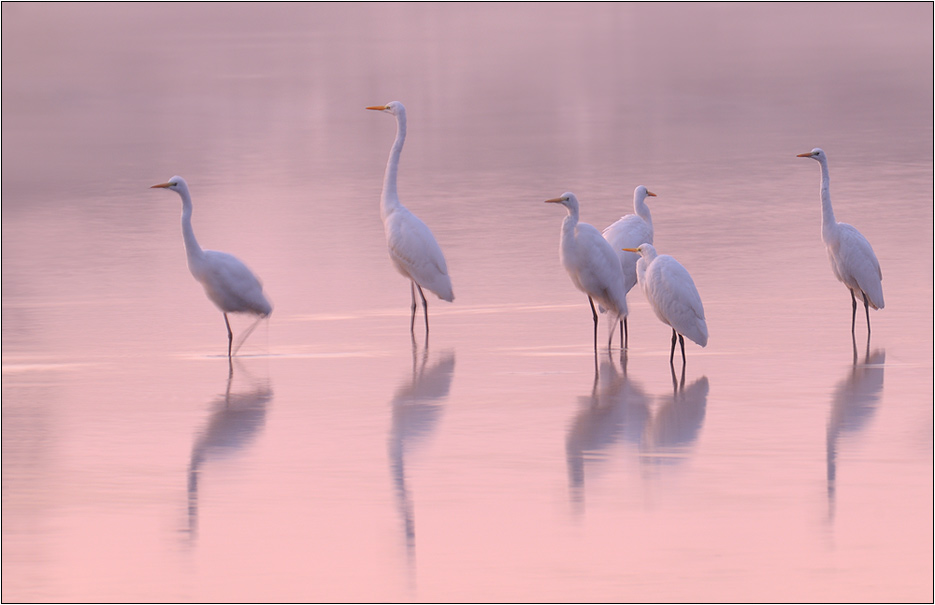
(227, 281)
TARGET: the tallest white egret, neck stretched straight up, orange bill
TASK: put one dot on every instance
(413, 249)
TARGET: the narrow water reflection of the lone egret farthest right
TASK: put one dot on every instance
(854, 403)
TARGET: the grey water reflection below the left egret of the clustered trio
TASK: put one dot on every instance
(616, 409)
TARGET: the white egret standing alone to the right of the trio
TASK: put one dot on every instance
(852, 258)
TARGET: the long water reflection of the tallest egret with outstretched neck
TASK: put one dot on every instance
(416, 409)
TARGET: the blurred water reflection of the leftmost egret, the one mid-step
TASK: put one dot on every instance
(237, 417)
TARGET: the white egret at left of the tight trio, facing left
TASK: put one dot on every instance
(591, 263)
